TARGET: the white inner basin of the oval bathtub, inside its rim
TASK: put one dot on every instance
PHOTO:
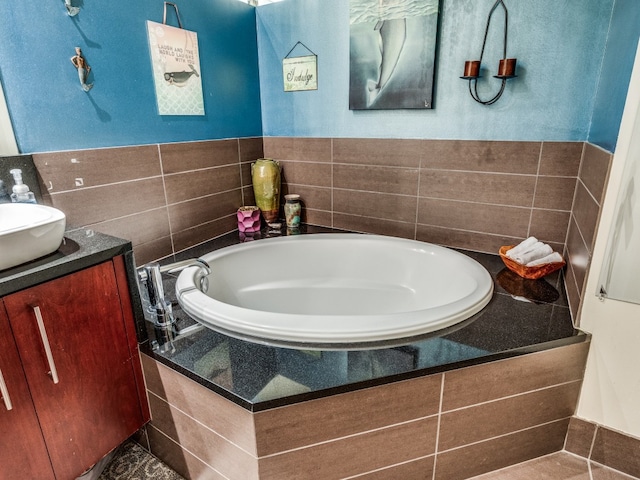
(352, 276)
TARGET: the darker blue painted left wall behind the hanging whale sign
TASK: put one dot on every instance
(50, 112)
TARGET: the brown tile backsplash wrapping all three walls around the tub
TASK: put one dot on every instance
(476, 195)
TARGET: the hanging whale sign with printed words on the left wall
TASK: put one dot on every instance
(176, 70)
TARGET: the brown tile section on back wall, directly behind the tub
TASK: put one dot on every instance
(470, 194)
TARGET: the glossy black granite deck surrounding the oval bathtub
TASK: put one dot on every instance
(259, 377)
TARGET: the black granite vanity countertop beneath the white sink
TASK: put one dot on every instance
(80, 249)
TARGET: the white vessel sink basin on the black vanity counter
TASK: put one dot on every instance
(28, 231)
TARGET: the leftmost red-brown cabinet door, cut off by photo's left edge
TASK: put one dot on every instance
(22, 450)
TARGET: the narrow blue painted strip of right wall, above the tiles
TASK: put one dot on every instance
(622, 43)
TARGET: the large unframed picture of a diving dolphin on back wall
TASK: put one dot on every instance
(392, 53)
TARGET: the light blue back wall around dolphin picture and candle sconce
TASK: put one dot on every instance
(560, 47)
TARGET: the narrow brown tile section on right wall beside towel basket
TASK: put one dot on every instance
(589, 194)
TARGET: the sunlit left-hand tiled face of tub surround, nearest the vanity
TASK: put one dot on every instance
(196, 432)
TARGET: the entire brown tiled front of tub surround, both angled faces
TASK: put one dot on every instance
(457, 424)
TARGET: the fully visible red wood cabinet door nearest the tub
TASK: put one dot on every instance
(78, 366)
